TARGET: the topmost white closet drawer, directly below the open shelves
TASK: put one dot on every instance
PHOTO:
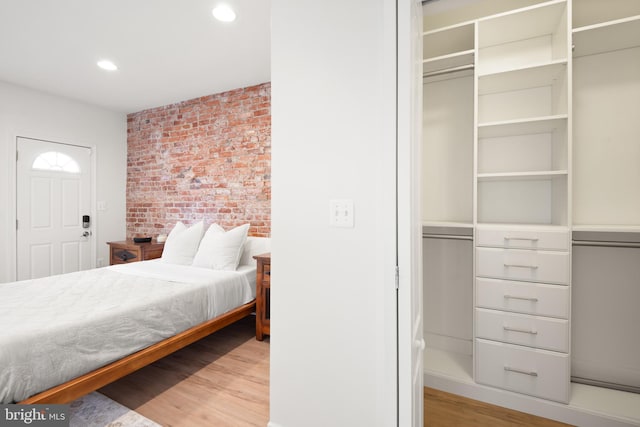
(554, 240)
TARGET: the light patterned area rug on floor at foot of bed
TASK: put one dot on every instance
(97, 410)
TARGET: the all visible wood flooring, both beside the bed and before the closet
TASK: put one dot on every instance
(223, 380)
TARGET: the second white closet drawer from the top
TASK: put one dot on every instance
(533, 266)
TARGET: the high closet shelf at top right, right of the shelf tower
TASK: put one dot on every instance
(607, 36)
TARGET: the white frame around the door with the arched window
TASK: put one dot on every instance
(12, 262)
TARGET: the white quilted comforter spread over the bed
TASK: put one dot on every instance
(57, 328)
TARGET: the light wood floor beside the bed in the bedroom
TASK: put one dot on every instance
(221, 380)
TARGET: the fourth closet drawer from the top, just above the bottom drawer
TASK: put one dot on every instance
(533, 331)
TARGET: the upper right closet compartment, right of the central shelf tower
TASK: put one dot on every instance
(606, 38)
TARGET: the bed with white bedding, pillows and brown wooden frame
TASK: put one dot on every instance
(74, 333)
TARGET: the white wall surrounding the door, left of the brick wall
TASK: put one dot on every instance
(28, 113)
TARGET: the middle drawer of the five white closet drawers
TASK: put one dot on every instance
(523, 297)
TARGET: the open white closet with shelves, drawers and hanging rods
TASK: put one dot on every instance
(531, 205)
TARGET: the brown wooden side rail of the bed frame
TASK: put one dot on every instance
(77, 387)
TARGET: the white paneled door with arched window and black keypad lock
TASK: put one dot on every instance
(53, 188)
